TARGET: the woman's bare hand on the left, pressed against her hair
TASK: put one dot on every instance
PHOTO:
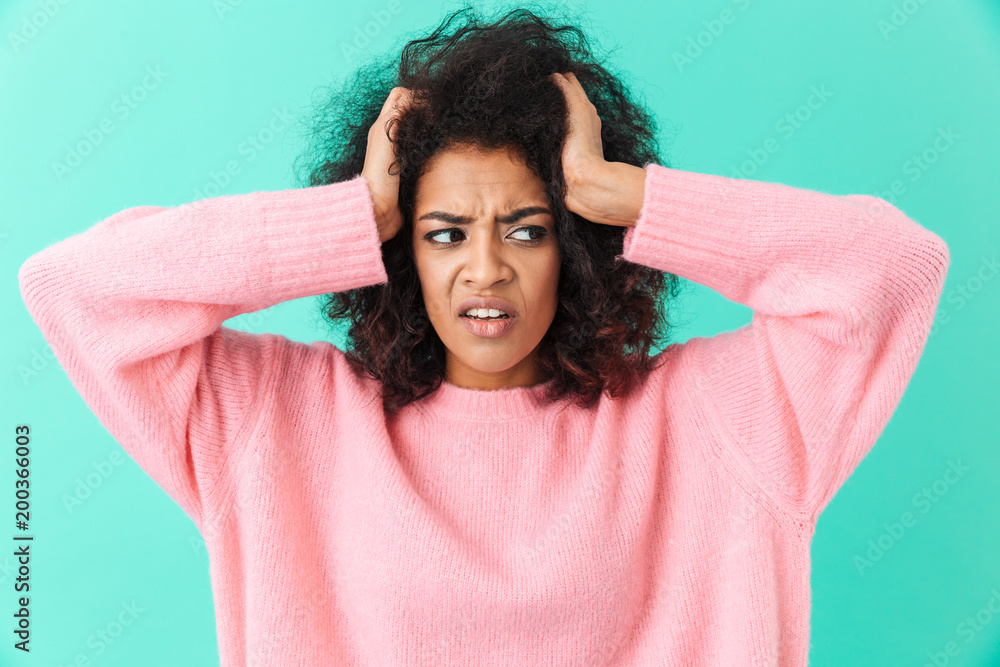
(379, 156)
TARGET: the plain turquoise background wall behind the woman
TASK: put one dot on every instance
(228, 66)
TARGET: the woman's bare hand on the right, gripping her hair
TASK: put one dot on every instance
(608, 193)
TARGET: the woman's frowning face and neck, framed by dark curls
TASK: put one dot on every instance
(483, 228)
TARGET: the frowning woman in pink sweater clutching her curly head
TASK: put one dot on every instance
(530, 487)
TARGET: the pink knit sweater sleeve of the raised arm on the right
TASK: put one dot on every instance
(843, 289)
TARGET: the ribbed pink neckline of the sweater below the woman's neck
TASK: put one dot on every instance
(455, 402)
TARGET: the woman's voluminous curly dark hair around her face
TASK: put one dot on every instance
(487, 84)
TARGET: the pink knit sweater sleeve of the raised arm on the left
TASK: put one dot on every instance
(133, 310)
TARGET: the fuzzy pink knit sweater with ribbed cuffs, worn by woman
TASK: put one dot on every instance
(670, 527)
